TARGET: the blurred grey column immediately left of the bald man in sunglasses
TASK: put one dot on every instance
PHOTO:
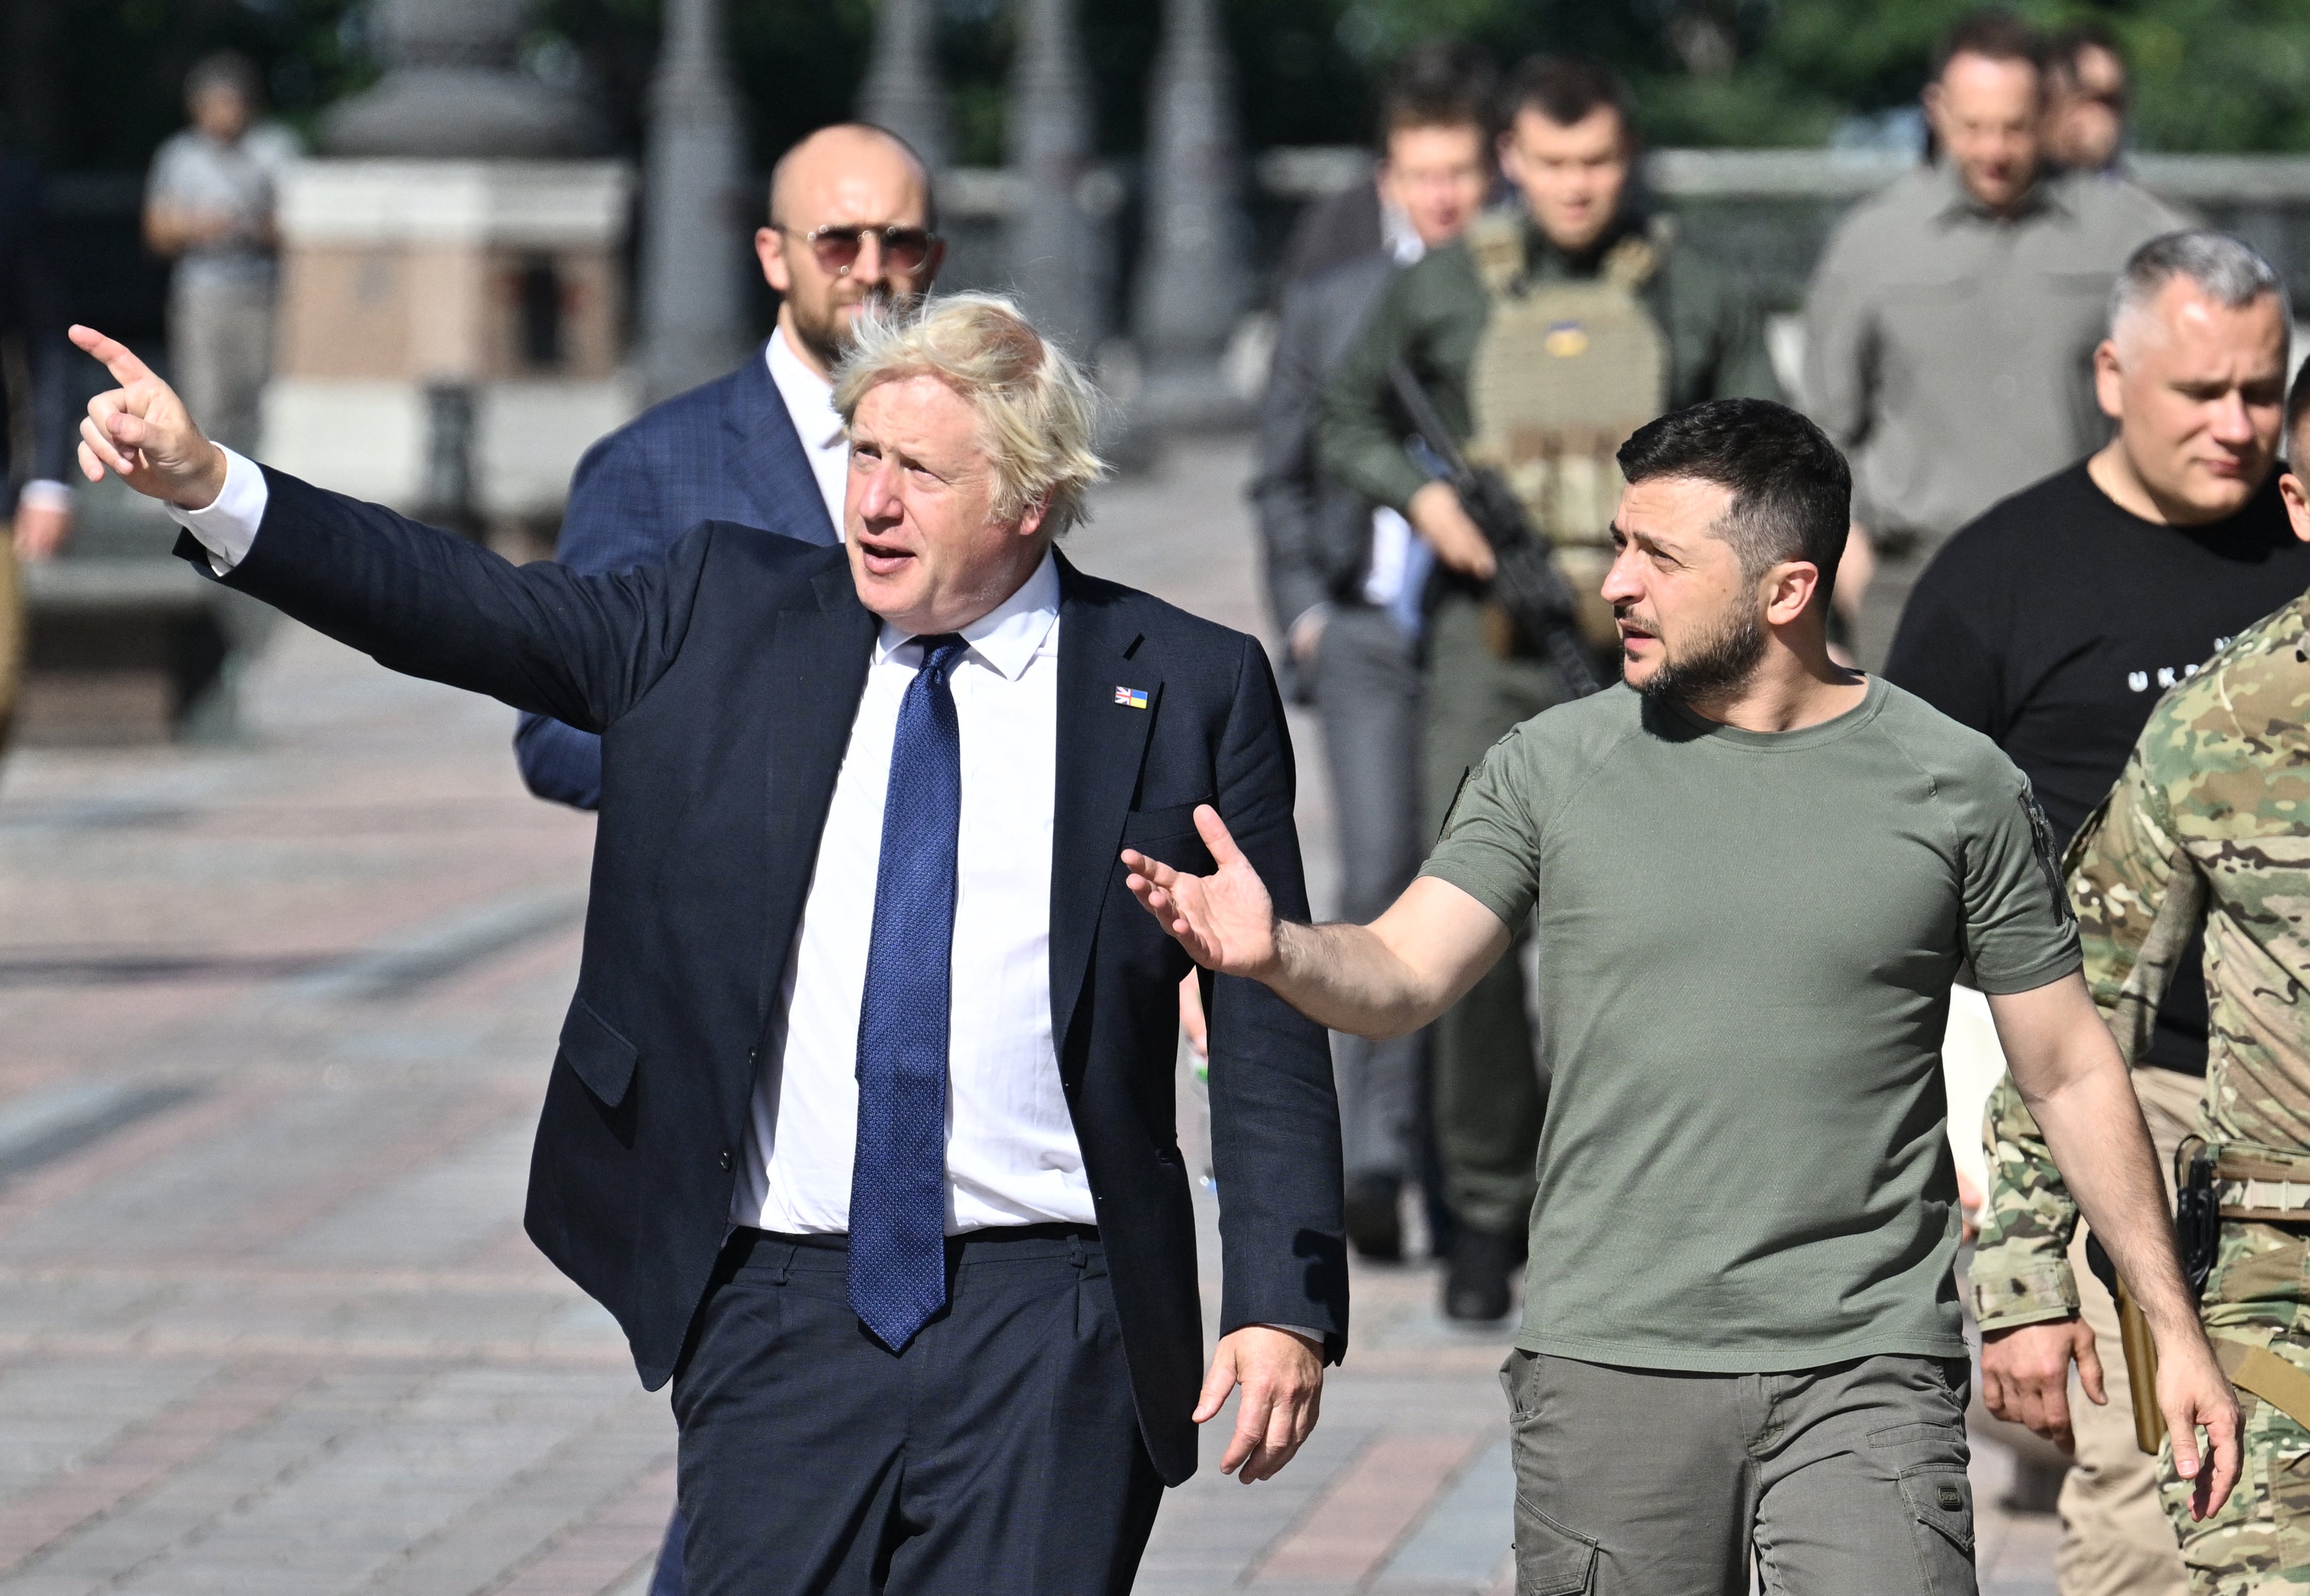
(696, 216)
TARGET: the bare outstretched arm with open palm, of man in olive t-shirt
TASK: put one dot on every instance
(1378, 980)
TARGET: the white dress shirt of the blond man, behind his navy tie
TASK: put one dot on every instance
(1011, 1142)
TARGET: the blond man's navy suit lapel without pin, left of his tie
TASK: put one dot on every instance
(817, 673)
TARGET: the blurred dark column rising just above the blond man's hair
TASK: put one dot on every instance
(1052, 239)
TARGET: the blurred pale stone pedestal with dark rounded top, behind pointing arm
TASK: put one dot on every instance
(452, 285)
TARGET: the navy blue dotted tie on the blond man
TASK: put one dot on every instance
(900, 1177)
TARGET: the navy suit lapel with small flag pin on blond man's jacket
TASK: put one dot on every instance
(1101, 749)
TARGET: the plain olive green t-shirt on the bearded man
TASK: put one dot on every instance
(1748, 944)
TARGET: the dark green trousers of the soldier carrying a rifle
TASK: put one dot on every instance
(1489, 1094)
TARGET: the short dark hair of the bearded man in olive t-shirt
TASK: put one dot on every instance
(1791, 489)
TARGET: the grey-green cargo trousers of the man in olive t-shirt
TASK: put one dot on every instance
(1838, 1482)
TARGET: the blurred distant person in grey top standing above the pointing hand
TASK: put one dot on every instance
(209, 207)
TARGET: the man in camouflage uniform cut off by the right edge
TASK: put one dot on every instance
(2210, 828)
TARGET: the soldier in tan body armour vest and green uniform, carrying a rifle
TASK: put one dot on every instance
(1547, 338)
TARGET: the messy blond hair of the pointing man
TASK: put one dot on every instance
(1038, 410)
